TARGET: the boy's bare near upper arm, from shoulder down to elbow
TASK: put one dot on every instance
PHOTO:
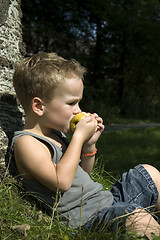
(29, 153)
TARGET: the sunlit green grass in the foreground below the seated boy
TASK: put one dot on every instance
(14, 210)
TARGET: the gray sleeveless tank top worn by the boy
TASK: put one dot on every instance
(75, 206)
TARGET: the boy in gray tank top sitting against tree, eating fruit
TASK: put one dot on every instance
(57, 172)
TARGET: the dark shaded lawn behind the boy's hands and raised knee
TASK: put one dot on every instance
(121, 150)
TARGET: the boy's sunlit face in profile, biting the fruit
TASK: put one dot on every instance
(64, 105)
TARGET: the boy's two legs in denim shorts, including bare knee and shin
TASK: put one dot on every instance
(136, 191)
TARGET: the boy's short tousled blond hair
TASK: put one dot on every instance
(39, 75)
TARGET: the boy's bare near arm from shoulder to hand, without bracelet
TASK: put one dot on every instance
(35, 160)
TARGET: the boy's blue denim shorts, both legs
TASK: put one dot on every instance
(136, 189)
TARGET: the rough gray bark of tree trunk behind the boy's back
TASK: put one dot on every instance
(12, 51)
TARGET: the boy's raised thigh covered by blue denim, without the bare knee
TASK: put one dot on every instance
(136, 187)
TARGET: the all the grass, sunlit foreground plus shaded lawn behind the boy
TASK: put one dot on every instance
(117, 152)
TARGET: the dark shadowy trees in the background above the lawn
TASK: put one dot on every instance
(118, 42)
